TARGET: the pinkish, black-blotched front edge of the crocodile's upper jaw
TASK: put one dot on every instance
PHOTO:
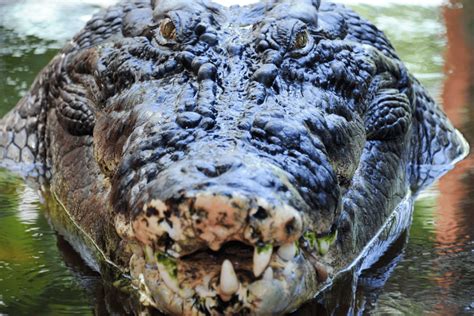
(209, 220)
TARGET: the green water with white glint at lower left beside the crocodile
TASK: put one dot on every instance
(33, 274)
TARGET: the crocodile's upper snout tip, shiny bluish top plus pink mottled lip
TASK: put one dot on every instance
(199, 205)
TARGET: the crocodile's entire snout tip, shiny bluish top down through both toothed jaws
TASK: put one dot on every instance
(222, 231)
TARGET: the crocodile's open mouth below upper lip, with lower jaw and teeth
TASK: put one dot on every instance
(212, 282)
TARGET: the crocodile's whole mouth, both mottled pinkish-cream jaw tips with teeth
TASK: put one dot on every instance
(214, 254)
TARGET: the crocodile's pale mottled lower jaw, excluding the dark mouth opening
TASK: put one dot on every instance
(293, 283)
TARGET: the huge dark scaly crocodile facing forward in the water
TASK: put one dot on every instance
(227, 159)
